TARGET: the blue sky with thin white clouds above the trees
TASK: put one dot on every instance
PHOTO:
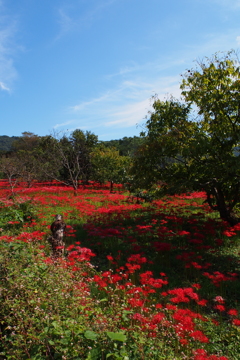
(95, 64)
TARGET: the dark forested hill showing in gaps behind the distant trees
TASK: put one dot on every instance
(126, 145)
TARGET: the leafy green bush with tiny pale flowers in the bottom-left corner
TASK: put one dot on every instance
(48, 313)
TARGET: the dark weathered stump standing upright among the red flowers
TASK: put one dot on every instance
(58, 228)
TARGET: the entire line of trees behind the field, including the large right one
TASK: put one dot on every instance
(188, 144)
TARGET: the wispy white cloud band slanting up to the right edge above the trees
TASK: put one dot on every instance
(126, 100)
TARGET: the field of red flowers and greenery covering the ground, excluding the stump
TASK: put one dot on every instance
(139, 280)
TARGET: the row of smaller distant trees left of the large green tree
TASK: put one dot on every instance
(68, 159)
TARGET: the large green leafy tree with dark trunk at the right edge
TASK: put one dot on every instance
(194, 143)
